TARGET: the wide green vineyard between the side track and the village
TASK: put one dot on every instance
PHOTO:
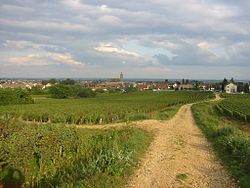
(102, 109)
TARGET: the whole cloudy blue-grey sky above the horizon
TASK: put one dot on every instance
(192, 39)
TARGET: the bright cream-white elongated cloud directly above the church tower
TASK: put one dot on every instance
(111, 48)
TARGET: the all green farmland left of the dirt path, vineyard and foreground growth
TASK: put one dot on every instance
(52, 154)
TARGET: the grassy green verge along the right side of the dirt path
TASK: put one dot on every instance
(231, 145)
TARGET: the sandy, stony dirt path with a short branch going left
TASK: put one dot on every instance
(180, 156)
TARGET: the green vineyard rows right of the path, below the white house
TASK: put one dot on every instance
(236, 106)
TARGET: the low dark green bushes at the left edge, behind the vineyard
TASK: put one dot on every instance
(15, 96)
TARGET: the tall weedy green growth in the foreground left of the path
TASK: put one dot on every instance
(58, 156)
